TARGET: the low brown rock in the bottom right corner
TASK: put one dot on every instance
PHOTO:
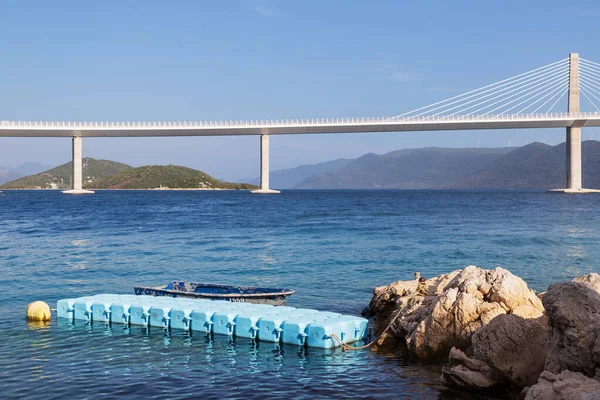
(566, 385)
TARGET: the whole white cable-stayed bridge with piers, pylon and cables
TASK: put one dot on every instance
(547, 97)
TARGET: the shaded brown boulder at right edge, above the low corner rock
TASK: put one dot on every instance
(573, 310)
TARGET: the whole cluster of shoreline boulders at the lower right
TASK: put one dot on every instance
(494, 333)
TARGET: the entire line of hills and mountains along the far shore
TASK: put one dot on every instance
(534, 166)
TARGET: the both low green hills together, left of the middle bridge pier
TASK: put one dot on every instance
(104, 174)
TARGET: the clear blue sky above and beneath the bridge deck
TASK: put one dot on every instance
(209, 60)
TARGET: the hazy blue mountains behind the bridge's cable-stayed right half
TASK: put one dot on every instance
(534, 166)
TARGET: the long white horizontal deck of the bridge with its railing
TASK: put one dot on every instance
(296, 126)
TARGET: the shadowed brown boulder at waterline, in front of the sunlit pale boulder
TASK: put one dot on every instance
(510, 351)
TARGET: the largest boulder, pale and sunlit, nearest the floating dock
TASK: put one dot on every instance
(453, 308)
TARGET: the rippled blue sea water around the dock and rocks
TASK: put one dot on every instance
(331, 247)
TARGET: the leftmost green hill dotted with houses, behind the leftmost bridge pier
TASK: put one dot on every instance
(60, 177)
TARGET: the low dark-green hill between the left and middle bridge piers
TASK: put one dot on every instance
(166, 177)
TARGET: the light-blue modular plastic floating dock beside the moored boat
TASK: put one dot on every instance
(299, 326)
